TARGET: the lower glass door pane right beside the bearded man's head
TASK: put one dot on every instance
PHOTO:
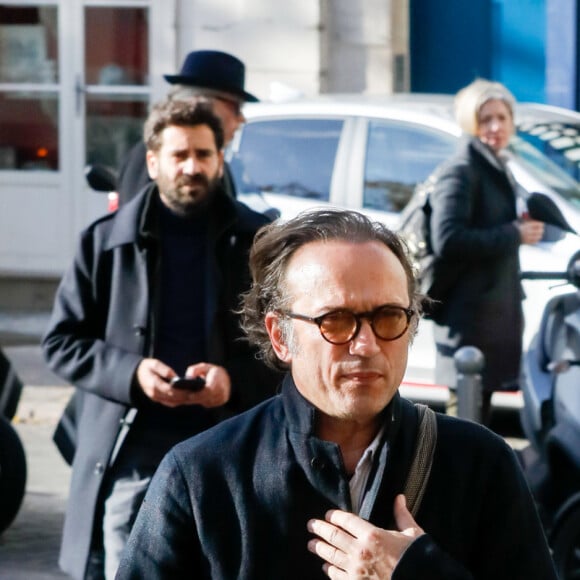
(114, 125)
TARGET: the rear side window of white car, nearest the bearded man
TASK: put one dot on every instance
(289, 157)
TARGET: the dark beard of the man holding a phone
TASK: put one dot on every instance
(189, 193)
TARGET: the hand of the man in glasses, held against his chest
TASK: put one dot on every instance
(355, 549)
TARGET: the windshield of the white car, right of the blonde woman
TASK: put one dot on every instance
(546, 171)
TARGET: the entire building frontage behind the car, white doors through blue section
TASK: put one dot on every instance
(77, 78)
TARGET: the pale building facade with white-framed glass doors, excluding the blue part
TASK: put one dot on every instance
(77, 78)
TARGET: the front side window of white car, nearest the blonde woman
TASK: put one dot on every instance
(399, 155)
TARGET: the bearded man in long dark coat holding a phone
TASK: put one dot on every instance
(152, 295)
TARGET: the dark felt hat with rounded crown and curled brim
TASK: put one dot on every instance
(215, 70)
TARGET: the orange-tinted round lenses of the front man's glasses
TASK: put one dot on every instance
(387, 322)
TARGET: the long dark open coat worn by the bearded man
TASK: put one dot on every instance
(102, 326)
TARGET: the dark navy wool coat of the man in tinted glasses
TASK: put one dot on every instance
(233, 502)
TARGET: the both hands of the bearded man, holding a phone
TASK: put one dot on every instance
(154, 376)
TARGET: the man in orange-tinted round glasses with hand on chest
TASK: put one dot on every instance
(310, 483)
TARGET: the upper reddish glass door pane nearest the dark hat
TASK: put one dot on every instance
(116, 46)
